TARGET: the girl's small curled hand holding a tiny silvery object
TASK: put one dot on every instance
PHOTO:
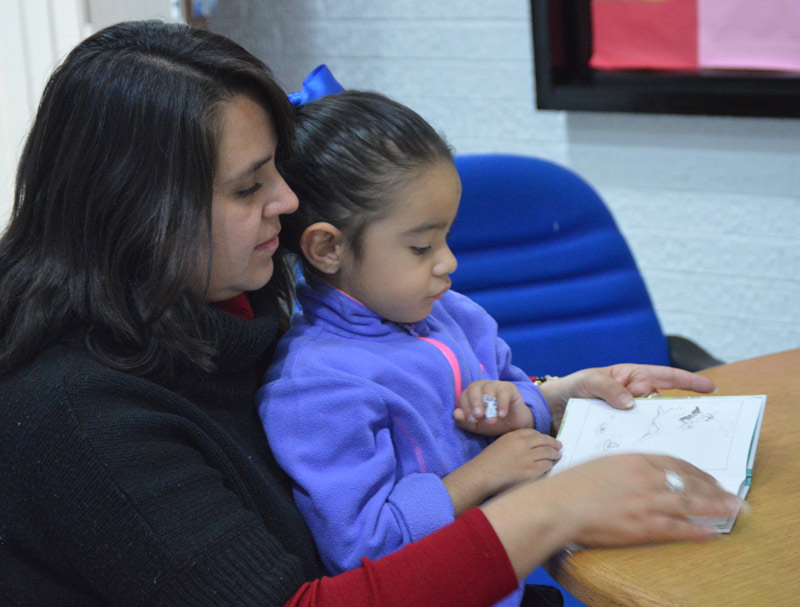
(511, 411)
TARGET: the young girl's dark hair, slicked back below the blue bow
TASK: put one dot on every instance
(352, 150)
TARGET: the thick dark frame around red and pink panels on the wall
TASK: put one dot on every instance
(562, 42)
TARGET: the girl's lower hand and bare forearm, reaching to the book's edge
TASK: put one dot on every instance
(520, 455)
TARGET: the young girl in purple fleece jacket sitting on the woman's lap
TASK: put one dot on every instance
(362, 403)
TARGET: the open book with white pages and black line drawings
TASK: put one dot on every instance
(718, 434)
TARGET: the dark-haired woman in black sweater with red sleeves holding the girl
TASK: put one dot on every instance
(141, 293)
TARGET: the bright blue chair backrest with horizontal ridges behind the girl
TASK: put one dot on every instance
(539, 250)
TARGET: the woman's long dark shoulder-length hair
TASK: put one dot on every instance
(111, 221)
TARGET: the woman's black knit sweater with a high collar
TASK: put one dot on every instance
(83, 447)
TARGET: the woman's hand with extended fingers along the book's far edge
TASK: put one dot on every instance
(618, 385)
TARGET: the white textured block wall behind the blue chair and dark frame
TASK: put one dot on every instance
(709, 205)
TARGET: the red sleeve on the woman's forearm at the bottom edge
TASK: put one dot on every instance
(461, 564)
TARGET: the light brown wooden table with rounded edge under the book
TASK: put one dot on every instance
(758, 563)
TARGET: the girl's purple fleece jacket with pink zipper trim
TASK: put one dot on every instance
(358, 411)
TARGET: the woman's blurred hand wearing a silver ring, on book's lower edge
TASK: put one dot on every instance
(611, 501)
